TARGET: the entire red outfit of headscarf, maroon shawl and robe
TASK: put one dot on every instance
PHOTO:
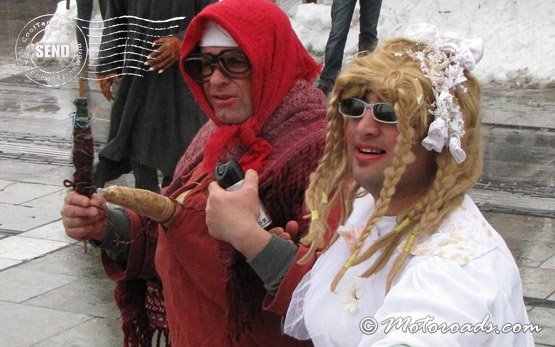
(212, 296)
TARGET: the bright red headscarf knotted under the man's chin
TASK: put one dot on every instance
(278, 59)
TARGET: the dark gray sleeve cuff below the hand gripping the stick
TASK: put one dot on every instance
(116, 240)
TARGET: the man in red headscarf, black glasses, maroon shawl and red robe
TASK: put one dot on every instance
(254, 80)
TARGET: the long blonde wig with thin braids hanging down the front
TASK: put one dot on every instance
(395, 77)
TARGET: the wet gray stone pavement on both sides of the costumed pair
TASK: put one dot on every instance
(54, 294)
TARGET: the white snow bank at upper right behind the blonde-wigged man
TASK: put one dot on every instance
(519, 35)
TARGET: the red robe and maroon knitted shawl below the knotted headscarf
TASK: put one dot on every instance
(198, 274)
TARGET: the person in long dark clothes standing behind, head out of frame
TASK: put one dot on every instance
(154, 116)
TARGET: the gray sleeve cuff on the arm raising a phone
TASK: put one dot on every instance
(273, 262)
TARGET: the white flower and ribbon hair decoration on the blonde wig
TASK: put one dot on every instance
(443, 61)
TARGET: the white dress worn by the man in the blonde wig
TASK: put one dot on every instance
(462, 279)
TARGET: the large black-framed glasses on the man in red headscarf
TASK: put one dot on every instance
(233, 63)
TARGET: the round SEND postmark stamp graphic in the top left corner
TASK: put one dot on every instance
(46, 50)
